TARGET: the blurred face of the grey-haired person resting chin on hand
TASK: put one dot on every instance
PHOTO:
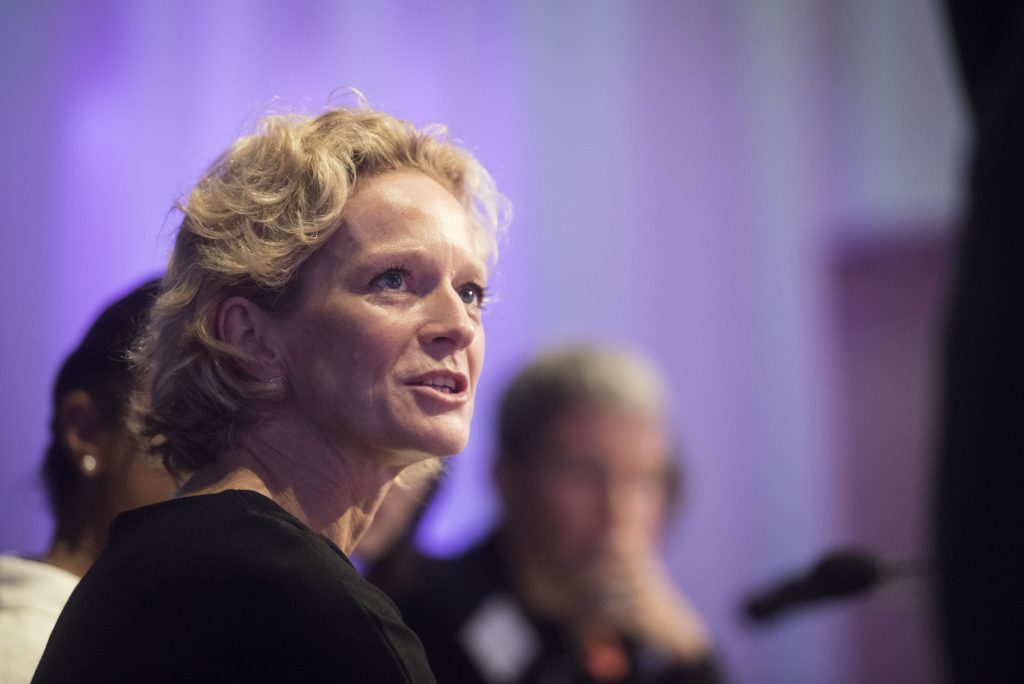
(596, 488)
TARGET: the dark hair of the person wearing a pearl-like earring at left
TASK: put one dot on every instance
(100, 367)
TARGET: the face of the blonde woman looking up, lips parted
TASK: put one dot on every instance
(386, 350)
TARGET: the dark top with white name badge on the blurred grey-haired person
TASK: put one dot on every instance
(476, 629)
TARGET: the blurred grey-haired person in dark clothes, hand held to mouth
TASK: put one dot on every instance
(572, 586)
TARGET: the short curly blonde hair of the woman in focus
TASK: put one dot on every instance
(263, 209)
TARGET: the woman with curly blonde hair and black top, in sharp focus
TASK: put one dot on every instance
(319, 333)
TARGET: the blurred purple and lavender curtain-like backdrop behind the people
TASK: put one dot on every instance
(761, 195)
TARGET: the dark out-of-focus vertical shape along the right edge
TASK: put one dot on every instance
(980, 539)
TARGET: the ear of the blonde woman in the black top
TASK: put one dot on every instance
(243, 325)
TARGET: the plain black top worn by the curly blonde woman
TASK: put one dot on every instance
(227, 587)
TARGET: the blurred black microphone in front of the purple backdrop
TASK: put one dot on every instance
(841, 574)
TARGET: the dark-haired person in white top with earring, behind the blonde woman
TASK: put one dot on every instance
(94, 471)
